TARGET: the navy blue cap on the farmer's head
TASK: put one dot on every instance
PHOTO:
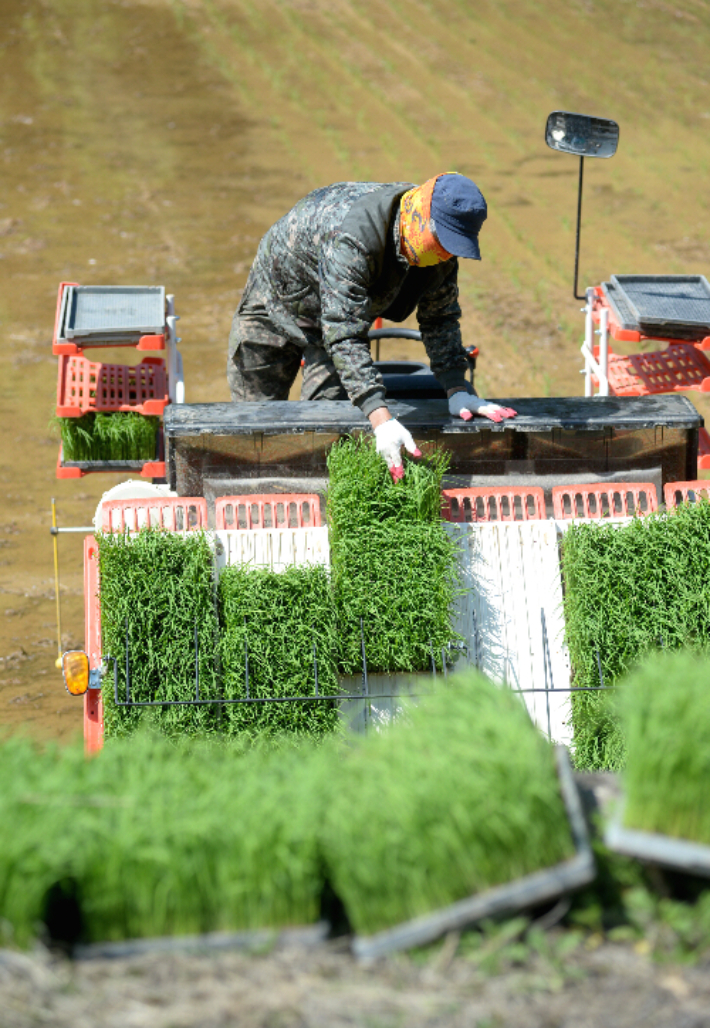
(459, 211)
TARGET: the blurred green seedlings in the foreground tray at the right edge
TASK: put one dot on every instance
(666, 719)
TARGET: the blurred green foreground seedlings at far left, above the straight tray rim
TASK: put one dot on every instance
(160, 838)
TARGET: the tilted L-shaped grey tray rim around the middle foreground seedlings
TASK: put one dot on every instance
(540, 888)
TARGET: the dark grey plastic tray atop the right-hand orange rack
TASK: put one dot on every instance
(663, 305)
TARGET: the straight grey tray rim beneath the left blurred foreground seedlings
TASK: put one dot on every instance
(254, 941)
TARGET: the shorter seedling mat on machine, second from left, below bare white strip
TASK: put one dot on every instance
(279, 618)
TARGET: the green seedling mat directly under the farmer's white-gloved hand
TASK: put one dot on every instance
(393, 563)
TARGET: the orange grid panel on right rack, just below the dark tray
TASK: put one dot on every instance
(681, 368)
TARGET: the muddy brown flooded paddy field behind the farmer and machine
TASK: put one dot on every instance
(155, 141)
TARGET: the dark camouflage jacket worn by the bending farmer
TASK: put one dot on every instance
(332, 265)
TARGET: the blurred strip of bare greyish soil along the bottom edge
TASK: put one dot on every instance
(599, 986)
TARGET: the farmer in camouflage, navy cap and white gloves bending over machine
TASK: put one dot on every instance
(343, 256)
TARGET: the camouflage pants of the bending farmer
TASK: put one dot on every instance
(264, 362)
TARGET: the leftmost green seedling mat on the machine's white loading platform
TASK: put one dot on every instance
(158, 586)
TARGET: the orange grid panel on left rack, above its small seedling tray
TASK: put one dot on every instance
(87, 386)
